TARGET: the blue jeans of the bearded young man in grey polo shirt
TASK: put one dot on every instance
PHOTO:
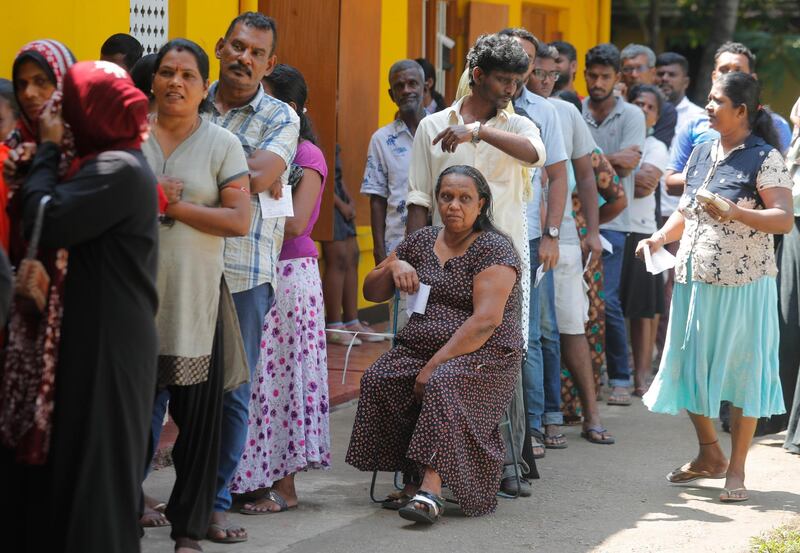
(619, 372)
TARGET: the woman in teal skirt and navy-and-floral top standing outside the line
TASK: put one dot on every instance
(722, 339)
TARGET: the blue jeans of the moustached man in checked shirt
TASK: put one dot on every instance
(251, 308)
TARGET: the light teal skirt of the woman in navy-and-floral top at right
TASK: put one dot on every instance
(722, 345)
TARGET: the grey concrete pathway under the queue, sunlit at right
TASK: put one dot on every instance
(590, 498)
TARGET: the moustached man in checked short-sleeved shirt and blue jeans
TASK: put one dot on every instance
(268, 130)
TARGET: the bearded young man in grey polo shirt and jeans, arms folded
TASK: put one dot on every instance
(618, 128)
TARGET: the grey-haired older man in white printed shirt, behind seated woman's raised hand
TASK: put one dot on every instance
(388, 160)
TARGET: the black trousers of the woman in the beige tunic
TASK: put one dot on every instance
(197, 412)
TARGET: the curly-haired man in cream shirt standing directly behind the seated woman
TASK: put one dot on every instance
(478, 131)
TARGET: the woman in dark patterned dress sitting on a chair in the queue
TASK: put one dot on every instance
(431, 405)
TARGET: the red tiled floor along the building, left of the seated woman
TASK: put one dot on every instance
(361, 357)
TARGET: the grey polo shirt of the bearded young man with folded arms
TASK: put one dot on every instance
(623, 127)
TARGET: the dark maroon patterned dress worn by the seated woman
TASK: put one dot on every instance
(454, 429)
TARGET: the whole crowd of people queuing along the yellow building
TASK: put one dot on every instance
(152, 277)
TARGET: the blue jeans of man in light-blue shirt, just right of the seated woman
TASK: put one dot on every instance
(541, 374)
